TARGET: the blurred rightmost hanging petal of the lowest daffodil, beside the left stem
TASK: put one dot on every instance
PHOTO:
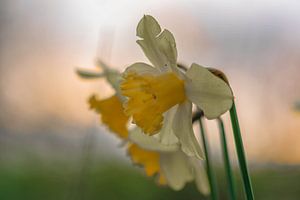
(200, 175)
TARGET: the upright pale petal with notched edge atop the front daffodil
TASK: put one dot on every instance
(159, 47)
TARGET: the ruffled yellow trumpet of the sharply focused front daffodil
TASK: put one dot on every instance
(150, 96)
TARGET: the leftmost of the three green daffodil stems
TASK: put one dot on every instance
(210, 173)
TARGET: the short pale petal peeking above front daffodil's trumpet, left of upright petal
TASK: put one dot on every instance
(141, 68)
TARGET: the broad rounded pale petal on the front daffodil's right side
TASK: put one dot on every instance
(210, 93)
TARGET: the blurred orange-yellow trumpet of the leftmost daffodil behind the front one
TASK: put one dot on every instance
(112, 114)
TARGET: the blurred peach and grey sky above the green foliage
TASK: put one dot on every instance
(43, 102)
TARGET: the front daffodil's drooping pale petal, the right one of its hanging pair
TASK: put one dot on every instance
(183, 129)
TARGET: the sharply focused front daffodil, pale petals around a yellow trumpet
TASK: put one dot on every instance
(160, 97)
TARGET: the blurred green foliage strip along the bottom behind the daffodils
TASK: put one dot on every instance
(117, 180)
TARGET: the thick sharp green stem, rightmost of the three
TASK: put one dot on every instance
(241, 153)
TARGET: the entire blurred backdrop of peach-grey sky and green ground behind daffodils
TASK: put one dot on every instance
(53, 147)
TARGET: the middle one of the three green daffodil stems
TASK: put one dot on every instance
(228, 169)
